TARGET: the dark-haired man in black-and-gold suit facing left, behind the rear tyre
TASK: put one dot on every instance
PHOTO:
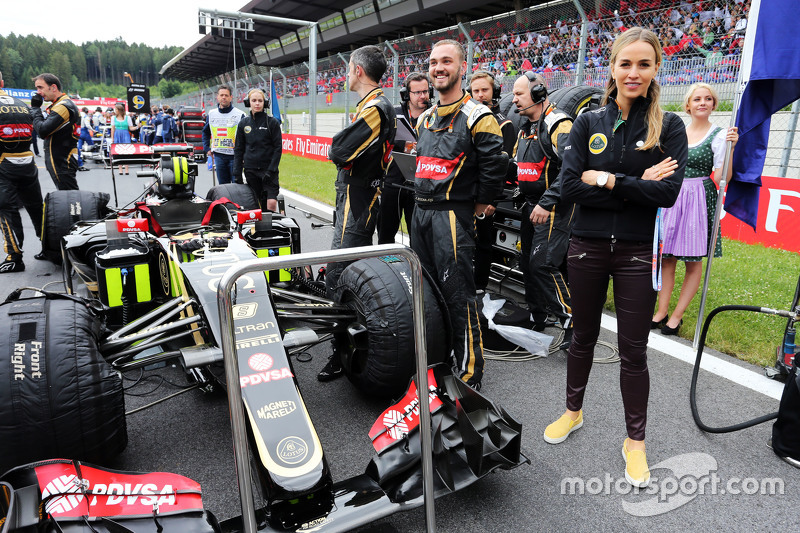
(59, 131)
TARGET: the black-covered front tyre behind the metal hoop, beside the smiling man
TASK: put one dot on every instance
(381, 359)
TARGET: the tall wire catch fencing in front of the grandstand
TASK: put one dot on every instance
(568, 42)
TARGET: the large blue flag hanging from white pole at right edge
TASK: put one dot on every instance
(770, 74)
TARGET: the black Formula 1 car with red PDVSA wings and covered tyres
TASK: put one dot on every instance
(147, 293)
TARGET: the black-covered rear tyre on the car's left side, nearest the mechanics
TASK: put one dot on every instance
(62, 209)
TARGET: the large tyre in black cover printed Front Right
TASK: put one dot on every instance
(58, 396)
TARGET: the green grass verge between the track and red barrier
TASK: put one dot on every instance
(744, 275)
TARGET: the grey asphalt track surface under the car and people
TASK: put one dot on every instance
(696, 472)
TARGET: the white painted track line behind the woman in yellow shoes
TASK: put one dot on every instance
(735, 373)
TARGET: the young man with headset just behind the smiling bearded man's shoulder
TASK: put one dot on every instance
(486, 90)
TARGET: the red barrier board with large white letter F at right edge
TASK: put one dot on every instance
(778, 216)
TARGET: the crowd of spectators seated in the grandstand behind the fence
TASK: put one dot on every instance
(702, 41)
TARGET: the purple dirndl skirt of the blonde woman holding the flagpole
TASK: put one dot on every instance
(686, 223)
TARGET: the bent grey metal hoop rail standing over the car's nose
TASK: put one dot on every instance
(238, 425)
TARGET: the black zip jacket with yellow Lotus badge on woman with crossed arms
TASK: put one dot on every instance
(628, 211)
